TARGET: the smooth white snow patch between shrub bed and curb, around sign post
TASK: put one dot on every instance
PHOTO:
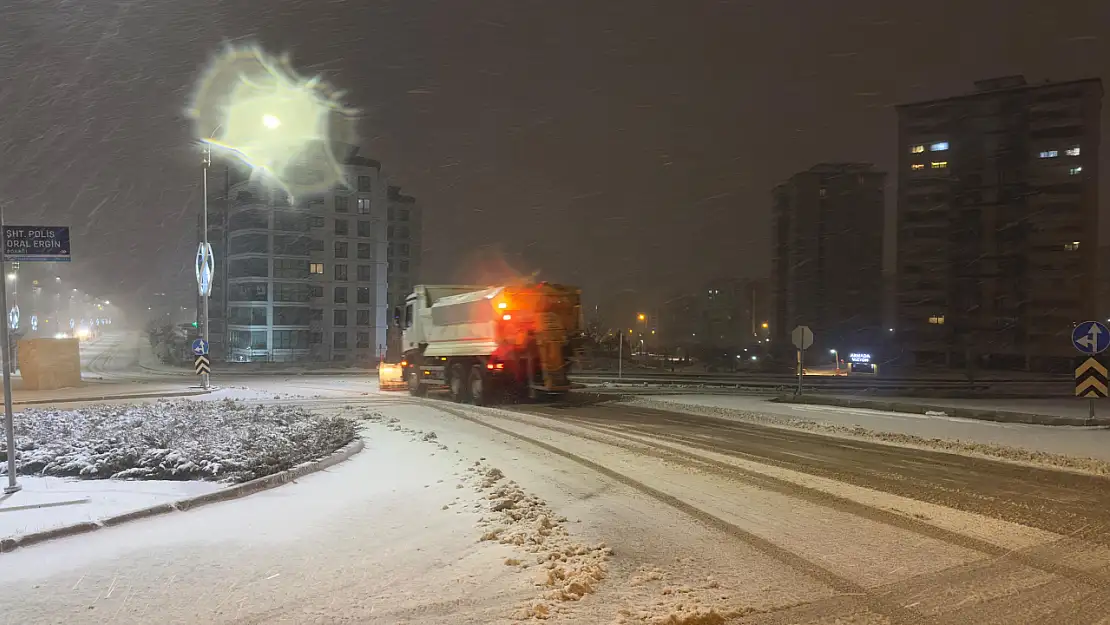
(49, 503)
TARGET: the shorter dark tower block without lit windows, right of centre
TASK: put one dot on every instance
(828, 257)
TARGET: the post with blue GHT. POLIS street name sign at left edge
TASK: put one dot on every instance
(23, 244)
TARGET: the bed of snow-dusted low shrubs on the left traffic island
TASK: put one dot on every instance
(174, 440)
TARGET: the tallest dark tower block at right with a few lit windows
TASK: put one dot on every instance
(998, 225)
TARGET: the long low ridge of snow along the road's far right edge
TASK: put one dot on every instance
(1002, 452)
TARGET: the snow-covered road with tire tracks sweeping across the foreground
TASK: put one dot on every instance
(707, 519)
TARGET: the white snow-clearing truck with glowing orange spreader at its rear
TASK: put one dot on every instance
(486, 344)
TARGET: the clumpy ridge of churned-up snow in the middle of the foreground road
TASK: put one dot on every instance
(566, 570)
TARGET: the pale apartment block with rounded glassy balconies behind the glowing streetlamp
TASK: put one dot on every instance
(302, 279)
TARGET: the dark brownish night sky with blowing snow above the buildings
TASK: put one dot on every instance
(628, 147)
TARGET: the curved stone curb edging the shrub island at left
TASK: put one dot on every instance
(189, 503)
